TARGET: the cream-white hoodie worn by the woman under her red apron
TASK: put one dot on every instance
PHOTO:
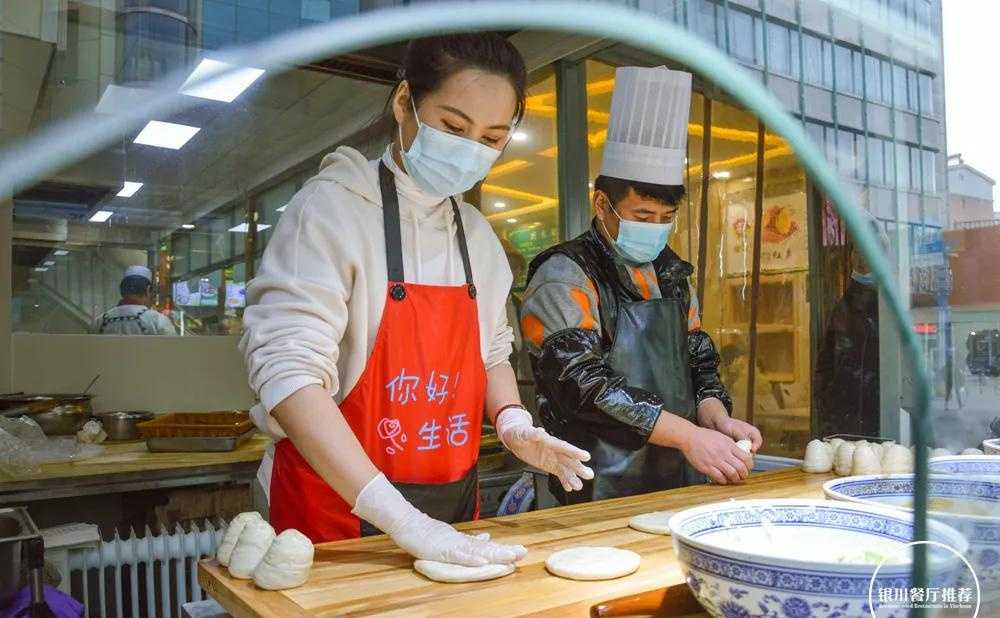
(315, 306)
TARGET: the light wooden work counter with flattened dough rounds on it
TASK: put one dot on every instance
(370, 577)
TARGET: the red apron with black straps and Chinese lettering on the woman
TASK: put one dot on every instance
(417, 409)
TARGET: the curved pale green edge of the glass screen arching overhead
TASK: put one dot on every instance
(64, 143)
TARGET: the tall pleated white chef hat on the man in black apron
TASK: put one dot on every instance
(647, 133)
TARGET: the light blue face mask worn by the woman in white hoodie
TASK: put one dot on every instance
(443, 164)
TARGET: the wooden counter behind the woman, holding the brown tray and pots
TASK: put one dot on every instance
(129, 466)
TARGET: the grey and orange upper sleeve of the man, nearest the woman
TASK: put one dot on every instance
(559, 297)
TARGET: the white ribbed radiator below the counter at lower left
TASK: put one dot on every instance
(143, 577)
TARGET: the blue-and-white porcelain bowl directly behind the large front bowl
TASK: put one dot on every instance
(969, 505)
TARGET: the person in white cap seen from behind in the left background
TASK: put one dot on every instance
(134, 315)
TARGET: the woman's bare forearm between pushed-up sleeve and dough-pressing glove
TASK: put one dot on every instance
(317, 428)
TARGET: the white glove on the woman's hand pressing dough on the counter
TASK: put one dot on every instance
(381, 505)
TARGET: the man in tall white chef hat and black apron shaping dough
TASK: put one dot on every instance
(622, 367)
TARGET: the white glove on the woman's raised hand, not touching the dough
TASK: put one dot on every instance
(534, 445)
